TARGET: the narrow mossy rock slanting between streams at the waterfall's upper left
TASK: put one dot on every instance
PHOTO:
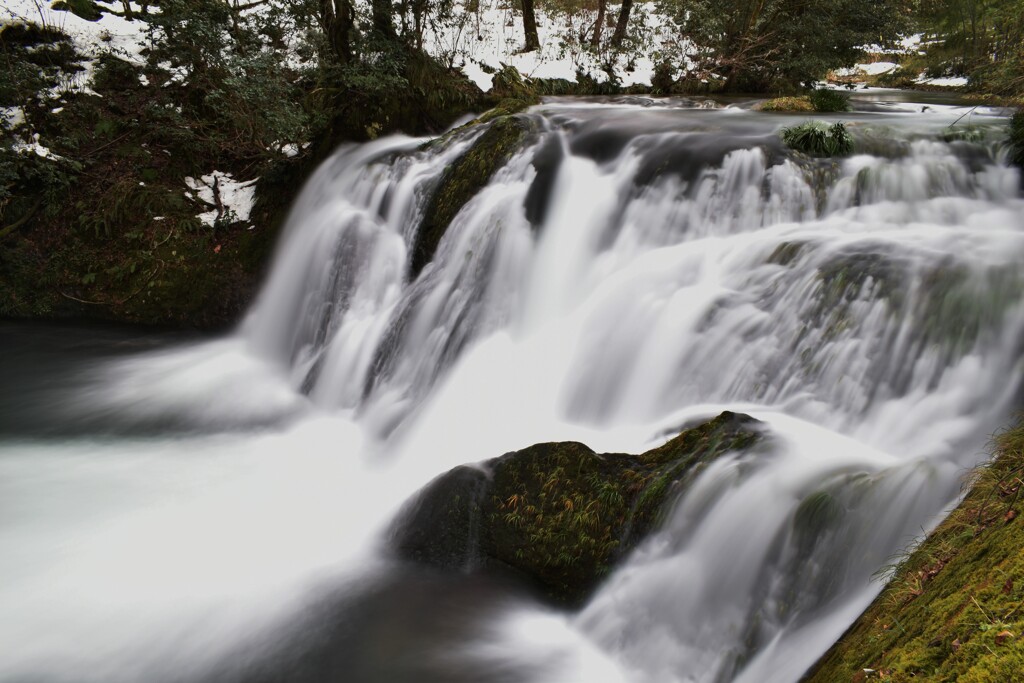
(464, 179)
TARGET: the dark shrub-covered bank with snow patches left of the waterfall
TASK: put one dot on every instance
(96, 217)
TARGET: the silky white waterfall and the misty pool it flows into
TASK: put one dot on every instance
(176, 510)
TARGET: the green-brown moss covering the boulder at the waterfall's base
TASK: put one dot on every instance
(568, 515)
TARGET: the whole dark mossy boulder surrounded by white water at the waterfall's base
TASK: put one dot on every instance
(560, 516)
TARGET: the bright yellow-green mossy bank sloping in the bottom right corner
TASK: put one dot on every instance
(953, 610)
